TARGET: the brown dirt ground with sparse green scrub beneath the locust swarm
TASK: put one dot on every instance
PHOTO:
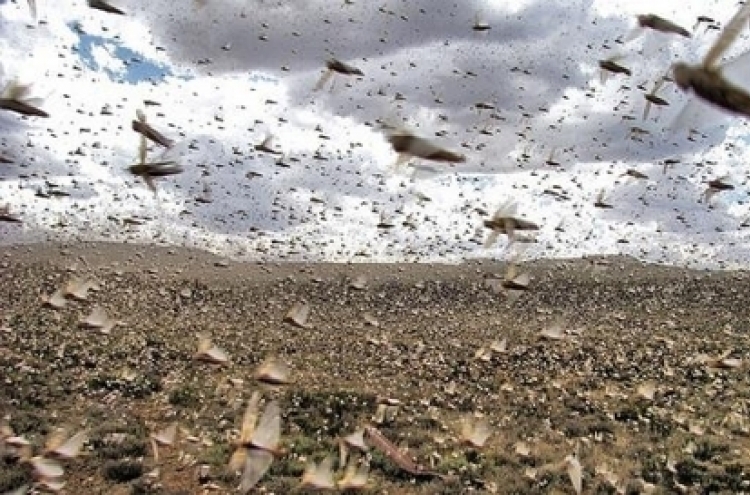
(642, 374)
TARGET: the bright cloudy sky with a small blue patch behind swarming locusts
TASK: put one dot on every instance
(222, 76)
